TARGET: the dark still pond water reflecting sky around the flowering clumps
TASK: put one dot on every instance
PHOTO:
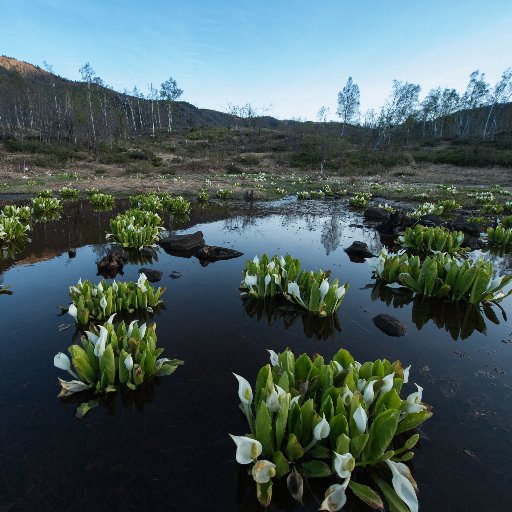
(167, 448)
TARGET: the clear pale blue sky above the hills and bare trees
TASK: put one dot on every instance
(286, 57)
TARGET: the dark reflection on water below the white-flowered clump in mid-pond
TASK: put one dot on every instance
(278, 309)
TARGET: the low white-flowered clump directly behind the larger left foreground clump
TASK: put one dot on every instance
(97, 302)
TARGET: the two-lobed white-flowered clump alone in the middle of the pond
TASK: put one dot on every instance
(268, 277)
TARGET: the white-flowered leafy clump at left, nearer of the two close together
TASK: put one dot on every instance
(107, 359)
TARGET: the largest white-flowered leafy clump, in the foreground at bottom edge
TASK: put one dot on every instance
(311, 419)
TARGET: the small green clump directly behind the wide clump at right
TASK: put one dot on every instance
(423, 239)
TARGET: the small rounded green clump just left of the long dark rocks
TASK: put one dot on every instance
(136, 228)
